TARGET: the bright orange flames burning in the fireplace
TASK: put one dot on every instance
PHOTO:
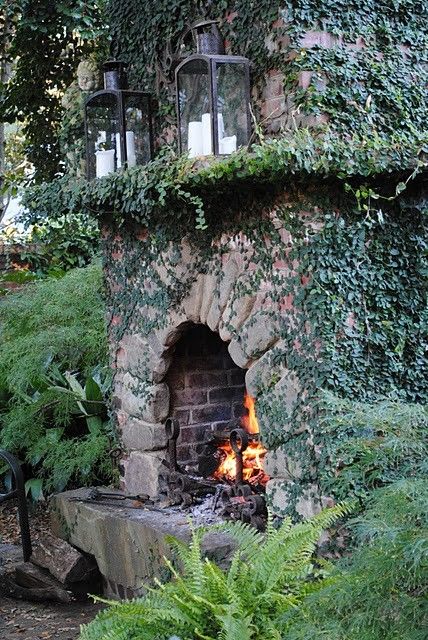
(253, 456)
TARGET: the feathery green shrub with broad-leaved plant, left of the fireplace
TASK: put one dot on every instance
(53, 379)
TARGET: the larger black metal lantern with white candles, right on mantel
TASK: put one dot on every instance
(213, 97)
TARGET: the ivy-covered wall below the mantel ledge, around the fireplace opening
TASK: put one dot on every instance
(311, 295)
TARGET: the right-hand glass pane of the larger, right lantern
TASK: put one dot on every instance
(232, 97)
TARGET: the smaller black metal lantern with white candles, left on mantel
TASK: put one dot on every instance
(118, 125)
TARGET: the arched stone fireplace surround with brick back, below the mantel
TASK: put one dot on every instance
(192, 332)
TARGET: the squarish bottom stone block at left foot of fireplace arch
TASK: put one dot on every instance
(141, 471)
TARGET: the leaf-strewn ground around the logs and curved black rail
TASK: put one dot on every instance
(33, 621)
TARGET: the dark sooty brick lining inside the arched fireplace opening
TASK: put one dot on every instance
(207, 388)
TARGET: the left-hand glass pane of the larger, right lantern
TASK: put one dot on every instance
(194, 107)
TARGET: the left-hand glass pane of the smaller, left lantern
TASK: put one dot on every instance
(103, 127)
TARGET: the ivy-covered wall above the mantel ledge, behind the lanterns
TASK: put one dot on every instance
(355, 67)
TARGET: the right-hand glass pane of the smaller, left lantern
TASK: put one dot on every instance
(137, 125)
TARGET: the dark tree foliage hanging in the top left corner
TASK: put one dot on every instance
(47, 41)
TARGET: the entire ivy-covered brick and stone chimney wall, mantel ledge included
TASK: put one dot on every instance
(326, 223)
